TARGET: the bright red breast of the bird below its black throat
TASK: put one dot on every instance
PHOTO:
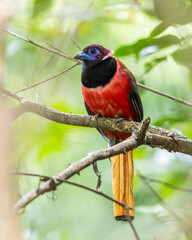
(110, 100)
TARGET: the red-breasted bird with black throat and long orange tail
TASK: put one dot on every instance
(109, 89)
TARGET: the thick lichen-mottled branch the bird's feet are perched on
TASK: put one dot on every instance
(155, 136)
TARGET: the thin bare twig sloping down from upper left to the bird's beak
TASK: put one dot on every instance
(41, 46)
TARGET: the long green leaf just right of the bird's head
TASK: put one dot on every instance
(136, 48)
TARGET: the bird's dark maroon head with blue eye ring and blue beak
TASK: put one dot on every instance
(93, 54)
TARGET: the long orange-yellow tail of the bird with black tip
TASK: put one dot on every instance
(123, 184)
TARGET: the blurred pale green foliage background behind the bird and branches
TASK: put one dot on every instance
(153, 38)
